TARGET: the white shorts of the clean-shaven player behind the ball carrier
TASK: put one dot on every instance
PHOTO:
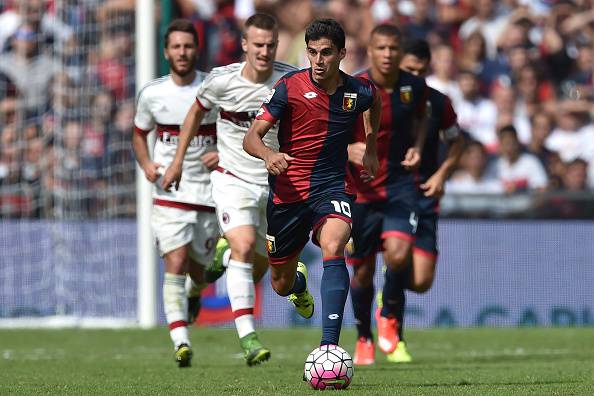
(240, 203)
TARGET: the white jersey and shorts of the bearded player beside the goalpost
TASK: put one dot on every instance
(185, 215)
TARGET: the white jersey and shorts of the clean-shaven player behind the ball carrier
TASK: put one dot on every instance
(240, 184)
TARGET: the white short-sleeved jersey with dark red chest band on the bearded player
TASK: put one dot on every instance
(162, 105)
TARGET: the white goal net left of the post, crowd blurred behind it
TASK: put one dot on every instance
(67, 172)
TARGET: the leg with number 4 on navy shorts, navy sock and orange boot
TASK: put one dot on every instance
(398, 236)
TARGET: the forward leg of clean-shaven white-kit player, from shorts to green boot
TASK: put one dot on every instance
(237, 212)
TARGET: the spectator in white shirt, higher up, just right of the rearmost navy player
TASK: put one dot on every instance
(476, 114)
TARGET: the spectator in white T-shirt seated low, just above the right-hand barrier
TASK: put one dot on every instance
(517, 170)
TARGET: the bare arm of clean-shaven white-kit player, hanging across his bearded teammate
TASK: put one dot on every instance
(186, 133)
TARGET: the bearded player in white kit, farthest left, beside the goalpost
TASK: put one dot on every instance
(183, 221)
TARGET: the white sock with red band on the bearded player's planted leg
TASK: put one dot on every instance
(175, 302)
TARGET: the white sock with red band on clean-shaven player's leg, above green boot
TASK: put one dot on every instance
(241, 291)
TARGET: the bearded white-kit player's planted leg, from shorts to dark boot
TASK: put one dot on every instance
(173, 229)
